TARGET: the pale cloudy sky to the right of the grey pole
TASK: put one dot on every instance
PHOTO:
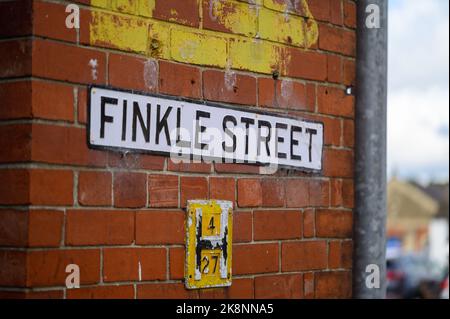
(418, 95)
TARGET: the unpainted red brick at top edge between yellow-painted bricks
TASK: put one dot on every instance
(183, 12)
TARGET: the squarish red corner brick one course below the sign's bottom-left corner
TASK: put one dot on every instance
(51, 187)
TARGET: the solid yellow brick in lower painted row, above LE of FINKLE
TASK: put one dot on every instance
(198, 48)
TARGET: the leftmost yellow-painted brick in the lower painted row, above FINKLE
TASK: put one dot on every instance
(117, 31)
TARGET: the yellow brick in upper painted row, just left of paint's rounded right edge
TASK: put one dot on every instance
(283, 28)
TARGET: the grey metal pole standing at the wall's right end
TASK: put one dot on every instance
(370, 151)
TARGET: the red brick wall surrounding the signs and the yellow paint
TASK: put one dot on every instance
(63, 203)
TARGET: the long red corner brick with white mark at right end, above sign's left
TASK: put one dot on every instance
(68, 63)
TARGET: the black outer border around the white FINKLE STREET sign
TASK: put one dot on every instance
(201, 102)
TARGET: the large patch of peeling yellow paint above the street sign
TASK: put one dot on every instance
(257, 51)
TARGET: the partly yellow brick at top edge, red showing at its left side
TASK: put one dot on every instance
(237, 17)
